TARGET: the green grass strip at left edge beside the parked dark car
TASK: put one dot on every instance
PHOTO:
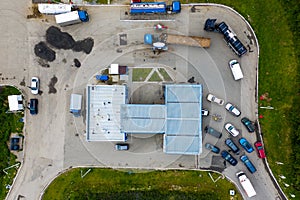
(9, 124)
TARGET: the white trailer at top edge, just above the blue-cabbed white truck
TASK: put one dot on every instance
(47, 8)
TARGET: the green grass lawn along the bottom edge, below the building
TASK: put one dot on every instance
(116, 184)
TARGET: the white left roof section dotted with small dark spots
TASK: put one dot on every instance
(103, 112)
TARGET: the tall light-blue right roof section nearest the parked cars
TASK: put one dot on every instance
(183, 122)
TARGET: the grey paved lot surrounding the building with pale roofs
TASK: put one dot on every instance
(55, 141)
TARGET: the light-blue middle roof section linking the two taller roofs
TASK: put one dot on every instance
(139, 118)
